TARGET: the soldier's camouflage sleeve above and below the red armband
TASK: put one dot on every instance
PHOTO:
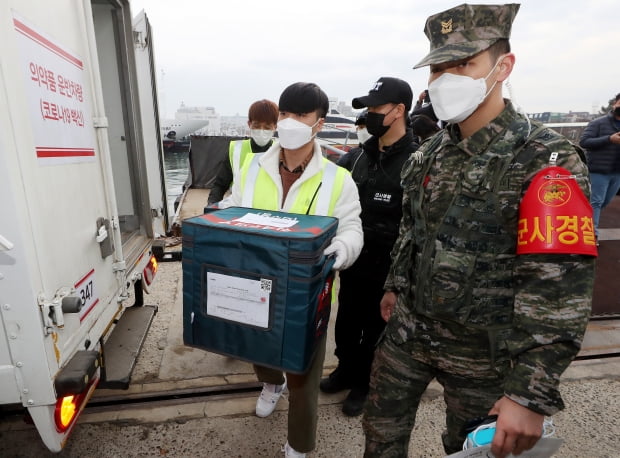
(553, 297)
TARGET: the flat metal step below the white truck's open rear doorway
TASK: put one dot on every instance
(122, 348)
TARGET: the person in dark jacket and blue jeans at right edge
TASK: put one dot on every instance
(601, 140)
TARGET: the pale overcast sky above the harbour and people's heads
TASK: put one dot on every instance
(229, 53)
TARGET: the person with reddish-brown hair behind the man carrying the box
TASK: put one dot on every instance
(262, 119)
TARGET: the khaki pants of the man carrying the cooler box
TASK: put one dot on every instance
(303, 399)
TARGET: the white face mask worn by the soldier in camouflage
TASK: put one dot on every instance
(456, 97)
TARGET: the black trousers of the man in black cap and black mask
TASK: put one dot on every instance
(358, 322)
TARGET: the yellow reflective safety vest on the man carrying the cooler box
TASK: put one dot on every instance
(317, 195)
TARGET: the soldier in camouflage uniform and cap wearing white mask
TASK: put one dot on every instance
(496, 329)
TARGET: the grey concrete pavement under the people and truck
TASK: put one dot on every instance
(227, 427)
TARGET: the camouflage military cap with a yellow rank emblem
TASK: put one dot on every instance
(466, 30)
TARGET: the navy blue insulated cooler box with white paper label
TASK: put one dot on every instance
(256, 285)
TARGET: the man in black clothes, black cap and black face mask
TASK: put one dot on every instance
(376, 168)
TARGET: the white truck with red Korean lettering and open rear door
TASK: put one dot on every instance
(82, 199)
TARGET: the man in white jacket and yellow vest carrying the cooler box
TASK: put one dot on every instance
(293, 176)
